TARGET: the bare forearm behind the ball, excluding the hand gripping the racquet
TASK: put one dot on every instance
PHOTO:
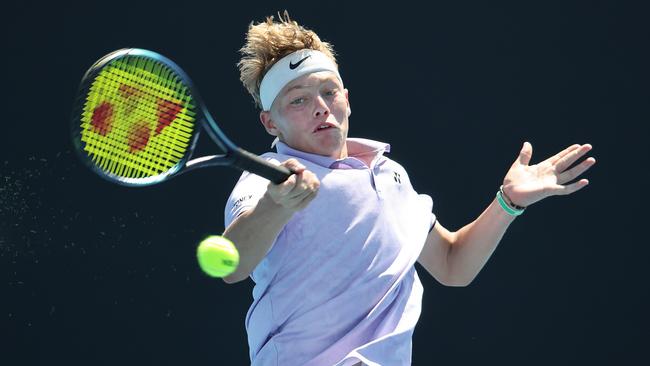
(253, 233)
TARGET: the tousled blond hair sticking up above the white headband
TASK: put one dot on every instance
(268, 42)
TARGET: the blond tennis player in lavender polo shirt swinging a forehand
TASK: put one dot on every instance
(332, 250)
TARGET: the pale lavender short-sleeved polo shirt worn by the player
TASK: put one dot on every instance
(339, 285)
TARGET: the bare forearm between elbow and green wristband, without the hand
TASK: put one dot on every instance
(475, 243)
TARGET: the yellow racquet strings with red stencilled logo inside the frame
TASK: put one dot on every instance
(138, 119)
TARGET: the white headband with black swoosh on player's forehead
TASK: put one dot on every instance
(291, 67)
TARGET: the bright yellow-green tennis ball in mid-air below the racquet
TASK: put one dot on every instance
(217, 256)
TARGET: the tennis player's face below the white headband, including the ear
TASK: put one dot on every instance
(310, 114)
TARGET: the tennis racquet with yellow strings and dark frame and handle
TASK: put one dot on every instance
(137, 118)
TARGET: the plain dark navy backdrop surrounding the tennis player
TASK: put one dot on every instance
(93, 273)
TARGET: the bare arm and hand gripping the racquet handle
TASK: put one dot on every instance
(255, 231)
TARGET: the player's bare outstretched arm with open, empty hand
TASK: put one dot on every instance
(455, 258)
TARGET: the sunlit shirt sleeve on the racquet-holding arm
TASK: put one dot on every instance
(247, 192)
